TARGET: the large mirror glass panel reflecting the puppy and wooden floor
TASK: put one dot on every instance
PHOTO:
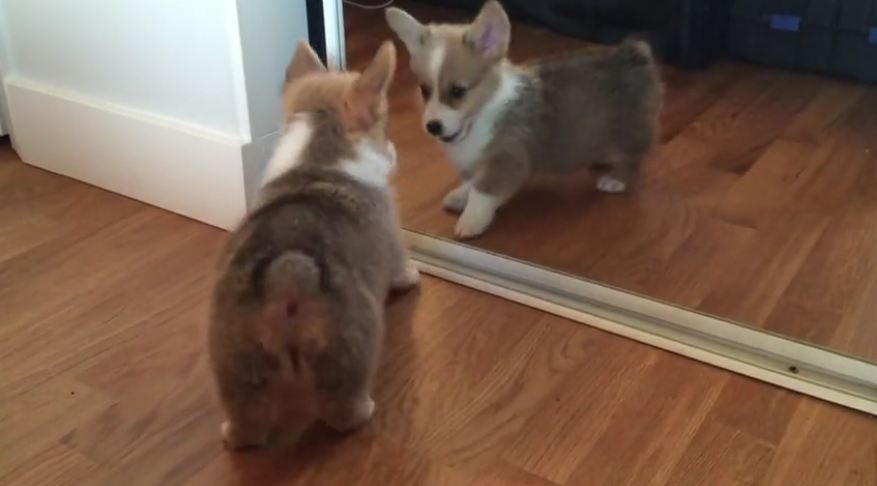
(756, 204)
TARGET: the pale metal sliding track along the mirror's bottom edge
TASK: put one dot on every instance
(780, 361)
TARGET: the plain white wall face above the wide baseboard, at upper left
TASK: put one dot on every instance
(161, 56)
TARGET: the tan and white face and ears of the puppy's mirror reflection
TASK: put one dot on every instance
(456, 66)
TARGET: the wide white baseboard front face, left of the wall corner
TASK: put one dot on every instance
(165, 162)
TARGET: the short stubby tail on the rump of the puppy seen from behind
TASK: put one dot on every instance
(291, 276)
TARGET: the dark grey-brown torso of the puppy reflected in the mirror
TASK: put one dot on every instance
(594, 102)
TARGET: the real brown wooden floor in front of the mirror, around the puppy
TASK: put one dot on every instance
(103, 379)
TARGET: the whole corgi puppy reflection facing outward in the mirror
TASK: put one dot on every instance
(500, 123)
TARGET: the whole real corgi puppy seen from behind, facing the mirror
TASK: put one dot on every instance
(296, 318)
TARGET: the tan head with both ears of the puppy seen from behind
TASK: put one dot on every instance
(356, 103)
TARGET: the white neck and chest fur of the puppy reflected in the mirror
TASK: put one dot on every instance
(467, 152)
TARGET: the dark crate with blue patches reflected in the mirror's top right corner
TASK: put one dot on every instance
(837, 37)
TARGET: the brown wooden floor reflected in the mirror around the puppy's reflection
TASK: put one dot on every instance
(759, 206)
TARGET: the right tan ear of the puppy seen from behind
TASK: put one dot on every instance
(367, 98)
